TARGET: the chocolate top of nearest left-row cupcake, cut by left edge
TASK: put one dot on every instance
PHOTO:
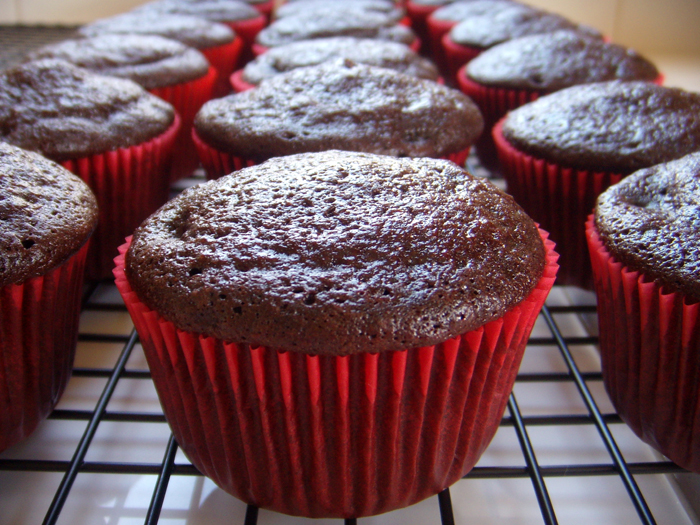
(46, 213)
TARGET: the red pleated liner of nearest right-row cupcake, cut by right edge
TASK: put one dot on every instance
(650, 351)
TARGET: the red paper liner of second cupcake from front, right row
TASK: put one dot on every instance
(559, 199)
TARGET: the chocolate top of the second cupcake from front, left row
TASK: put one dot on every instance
(65, 112)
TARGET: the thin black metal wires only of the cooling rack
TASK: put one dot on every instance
(15, 41)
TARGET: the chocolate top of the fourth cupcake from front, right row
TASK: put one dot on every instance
(505, 21)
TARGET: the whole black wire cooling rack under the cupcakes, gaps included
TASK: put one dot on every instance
(561, 455)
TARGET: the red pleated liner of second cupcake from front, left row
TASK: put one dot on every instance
(130, 184)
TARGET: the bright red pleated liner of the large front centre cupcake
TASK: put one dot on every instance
(325, 436)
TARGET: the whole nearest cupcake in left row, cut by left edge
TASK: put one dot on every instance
(48, 215)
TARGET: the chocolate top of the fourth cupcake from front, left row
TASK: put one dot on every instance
(192, 31)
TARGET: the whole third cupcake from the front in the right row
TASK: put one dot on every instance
(521, 70)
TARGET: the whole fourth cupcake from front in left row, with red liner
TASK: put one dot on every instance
(217, 42)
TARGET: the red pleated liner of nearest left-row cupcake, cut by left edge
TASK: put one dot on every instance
(39, 331)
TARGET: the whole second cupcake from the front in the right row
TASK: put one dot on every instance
(561, 151)
